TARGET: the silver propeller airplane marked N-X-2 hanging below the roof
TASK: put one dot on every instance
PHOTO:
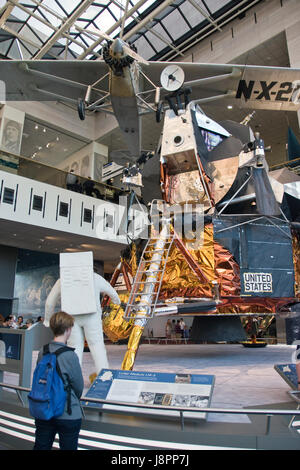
(127, 86)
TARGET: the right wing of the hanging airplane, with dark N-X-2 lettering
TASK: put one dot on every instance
(254, 87)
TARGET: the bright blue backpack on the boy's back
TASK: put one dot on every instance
(48, 394)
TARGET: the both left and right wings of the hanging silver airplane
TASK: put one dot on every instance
(254, 87)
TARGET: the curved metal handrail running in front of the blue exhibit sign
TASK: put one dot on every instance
(269, 413)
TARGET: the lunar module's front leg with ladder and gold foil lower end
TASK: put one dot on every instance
(141, 304)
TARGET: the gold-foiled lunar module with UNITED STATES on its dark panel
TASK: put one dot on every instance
(223, 239)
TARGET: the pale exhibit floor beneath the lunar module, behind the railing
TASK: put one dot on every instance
(244, 378)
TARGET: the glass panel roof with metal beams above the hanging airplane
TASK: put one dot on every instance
(160, 29)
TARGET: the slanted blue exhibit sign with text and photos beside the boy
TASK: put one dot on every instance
(153, 388)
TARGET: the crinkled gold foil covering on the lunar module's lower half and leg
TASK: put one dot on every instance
(217, 264)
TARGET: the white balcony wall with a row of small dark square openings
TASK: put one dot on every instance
(21, 209)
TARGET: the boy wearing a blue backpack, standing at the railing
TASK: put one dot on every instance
(56, 389)
